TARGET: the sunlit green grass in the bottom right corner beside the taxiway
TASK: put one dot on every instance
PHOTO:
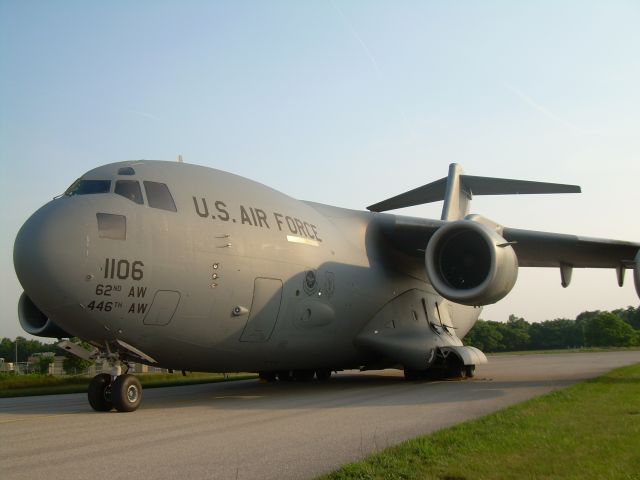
(589, 430)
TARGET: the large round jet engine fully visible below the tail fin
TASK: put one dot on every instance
(470, 263)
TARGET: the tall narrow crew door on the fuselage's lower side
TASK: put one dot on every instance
(265, 307)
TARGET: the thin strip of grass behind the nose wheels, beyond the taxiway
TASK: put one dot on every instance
(27, 385)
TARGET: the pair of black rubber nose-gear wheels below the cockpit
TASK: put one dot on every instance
(109, 391)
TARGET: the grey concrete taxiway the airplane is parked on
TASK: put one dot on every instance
(248, 430)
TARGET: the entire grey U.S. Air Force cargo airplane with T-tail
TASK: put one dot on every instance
(191, 268)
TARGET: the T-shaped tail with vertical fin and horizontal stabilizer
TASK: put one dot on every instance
(457, 190)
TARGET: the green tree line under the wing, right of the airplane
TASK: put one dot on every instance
(618, 328)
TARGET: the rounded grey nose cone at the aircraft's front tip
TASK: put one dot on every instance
(49, 252)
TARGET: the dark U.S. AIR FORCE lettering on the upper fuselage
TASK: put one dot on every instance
(256, 217)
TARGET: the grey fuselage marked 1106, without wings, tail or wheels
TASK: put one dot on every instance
(239, 277)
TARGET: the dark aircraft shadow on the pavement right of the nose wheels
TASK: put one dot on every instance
(341, 392)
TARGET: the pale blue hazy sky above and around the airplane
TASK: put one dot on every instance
(339, 102)
